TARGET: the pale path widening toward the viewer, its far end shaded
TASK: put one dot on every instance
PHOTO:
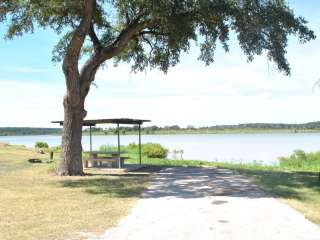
(193, 203)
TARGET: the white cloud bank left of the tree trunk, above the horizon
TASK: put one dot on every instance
(30, 104)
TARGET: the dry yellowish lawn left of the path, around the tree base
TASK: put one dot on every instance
(37, 204)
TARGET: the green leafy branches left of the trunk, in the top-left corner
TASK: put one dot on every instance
(23, 15)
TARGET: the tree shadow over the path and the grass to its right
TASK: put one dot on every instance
(201, 182)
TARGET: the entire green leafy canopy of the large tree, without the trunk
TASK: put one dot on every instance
(261, 27)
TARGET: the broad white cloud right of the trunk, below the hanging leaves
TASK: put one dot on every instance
(219, 94)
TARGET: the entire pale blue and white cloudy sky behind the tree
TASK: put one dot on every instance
(230, 91)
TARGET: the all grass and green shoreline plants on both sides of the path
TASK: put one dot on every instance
(28, 190)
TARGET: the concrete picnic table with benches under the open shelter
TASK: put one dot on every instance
(111, 159)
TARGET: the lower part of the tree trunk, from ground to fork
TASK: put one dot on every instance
(71, 155)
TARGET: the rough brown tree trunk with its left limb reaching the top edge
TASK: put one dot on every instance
(74, 113)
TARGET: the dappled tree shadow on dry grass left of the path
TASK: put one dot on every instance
(124, 186)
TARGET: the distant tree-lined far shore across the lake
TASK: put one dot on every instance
(311, 127)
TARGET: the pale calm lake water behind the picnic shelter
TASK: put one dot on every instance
(211, 147)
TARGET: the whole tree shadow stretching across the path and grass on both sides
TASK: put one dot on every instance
(200, 182)
